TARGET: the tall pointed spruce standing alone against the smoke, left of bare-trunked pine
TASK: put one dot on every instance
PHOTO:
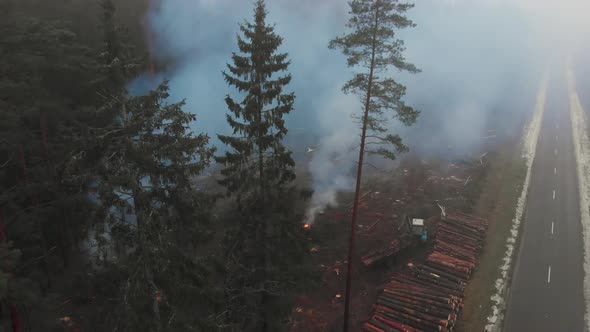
(266, 249)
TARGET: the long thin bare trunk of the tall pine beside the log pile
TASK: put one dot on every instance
(358, 180)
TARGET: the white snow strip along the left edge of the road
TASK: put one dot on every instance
(531, 136)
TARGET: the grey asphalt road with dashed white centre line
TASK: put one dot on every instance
(546, 292)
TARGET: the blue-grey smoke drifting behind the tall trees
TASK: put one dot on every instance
(481, 62)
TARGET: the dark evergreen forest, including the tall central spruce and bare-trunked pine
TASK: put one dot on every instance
(104, 222)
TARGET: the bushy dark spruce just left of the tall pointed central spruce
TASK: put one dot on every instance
(149, 165)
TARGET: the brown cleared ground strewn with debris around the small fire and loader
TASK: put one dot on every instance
(412, 190)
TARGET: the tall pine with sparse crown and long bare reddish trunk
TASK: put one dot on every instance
(372, 47)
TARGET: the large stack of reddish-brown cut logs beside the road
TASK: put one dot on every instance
(429, 296)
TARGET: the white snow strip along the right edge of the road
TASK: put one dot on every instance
(582, 152)
